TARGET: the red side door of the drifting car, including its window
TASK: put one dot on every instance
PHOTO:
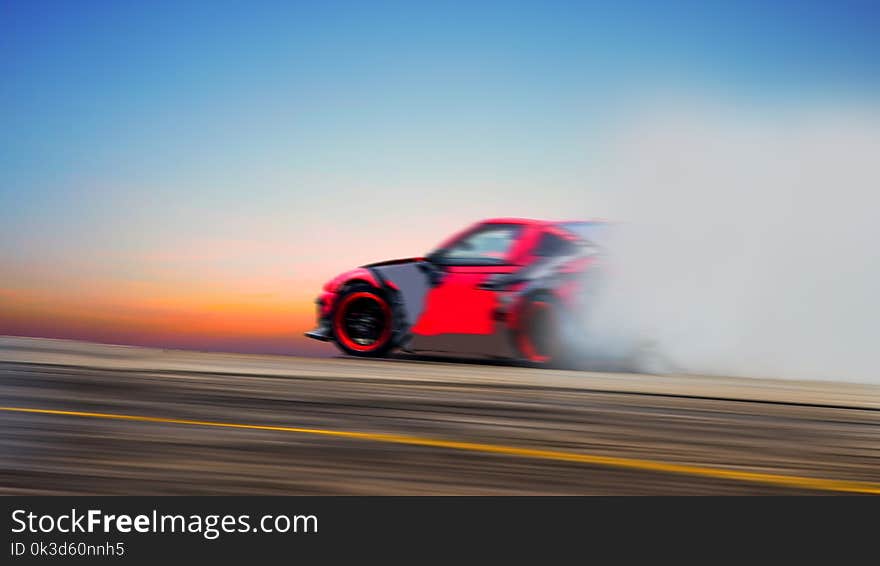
(459, 316)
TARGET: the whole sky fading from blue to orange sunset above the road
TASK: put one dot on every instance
(187, 174)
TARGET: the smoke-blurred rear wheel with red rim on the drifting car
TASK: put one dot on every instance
(538, 335)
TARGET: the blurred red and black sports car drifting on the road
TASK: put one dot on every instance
(503, 288)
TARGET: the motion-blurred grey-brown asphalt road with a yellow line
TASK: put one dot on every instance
(83, 418)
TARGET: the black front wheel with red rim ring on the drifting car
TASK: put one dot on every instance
(363, 321)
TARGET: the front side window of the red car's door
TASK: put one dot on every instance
(487, 245)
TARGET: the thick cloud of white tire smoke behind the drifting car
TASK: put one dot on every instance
(749, 245)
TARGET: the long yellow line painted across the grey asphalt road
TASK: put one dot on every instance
(612, 461)
